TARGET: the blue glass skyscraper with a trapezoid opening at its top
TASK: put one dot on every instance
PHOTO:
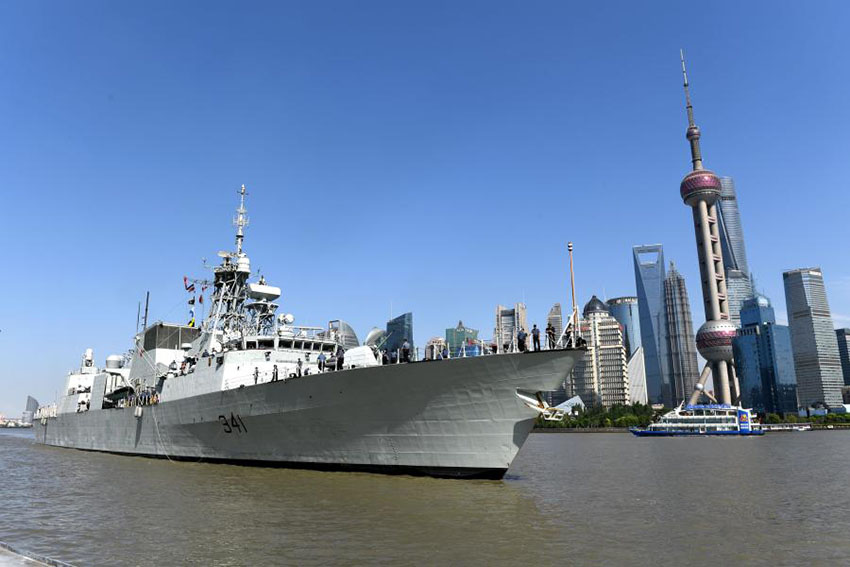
(649, 281)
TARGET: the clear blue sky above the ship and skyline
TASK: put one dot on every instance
(432, 155)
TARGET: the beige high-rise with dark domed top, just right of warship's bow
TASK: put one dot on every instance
(602, 375)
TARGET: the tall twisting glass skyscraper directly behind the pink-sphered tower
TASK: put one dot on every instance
(738, 283)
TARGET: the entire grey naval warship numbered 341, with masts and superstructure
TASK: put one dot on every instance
(249, 386)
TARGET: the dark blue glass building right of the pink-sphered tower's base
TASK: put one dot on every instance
(764, 360)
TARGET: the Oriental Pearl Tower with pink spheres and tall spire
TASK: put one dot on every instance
(700, 190)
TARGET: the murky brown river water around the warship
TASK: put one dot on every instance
(580, 499)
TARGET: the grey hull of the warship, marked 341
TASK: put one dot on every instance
(455, 418)
